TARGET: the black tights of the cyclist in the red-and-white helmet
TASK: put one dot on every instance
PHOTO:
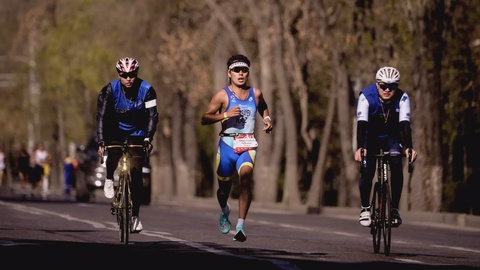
(136, 163)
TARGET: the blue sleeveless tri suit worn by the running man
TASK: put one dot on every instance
(226, 160)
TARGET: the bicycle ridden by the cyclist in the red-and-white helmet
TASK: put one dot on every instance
(122, 204)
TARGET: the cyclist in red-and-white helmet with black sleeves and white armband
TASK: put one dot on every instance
(127, 108)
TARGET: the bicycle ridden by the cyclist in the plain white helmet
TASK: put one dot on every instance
(381, 204)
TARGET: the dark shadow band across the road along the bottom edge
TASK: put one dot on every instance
(168, 255)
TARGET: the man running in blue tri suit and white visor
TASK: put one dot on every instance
(235, 106)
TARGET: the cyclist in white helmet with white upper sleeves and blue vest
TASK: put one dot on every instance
(383, 121)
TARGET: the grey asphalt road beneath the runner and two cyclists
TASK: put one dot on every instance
(58, 233)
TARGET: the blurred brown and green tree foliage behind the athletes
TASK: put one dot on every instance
(180, 43)
